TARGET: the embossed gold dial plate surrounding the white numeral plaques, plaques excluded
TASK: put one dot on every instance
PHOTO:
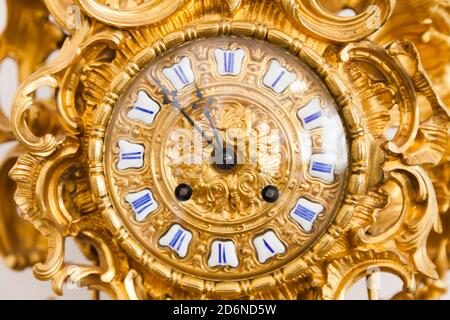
(224, 204)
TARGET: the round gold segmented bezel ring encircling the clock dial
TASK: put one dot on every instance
(298, 267)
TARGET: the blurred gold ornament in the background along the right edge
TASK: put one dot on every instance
(427, 24)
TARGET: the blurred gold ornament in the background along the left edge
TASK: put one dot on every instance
(21, 251)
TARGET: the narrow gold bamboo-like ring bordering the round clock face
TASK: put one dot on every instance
(295, 266)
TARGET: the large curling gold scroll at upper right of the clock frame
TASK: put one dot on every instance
(419, 140)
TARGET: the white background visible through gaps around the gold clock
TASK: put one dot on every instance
(22, 285)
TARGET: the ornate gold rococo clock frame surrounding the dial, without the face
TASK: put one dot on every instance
(352, 245)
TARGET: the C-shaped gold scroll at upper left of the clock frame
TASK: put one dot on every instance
(54, 76)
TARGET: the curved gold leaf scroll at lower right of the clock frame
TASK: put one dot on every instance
(407, 235)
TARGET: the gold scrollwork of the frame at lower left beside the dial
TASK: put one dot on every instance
(57, 218)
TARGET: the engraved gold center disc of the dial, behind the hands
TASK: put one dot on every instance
(227, 178)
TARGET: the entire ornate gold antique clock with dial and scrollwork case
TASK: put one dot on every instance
(246, 149)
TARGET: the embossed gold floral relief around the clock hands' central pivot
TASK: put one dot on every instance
(234, 195)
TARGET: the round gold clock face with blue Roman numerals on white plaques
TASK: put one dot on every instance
(226, 158)
